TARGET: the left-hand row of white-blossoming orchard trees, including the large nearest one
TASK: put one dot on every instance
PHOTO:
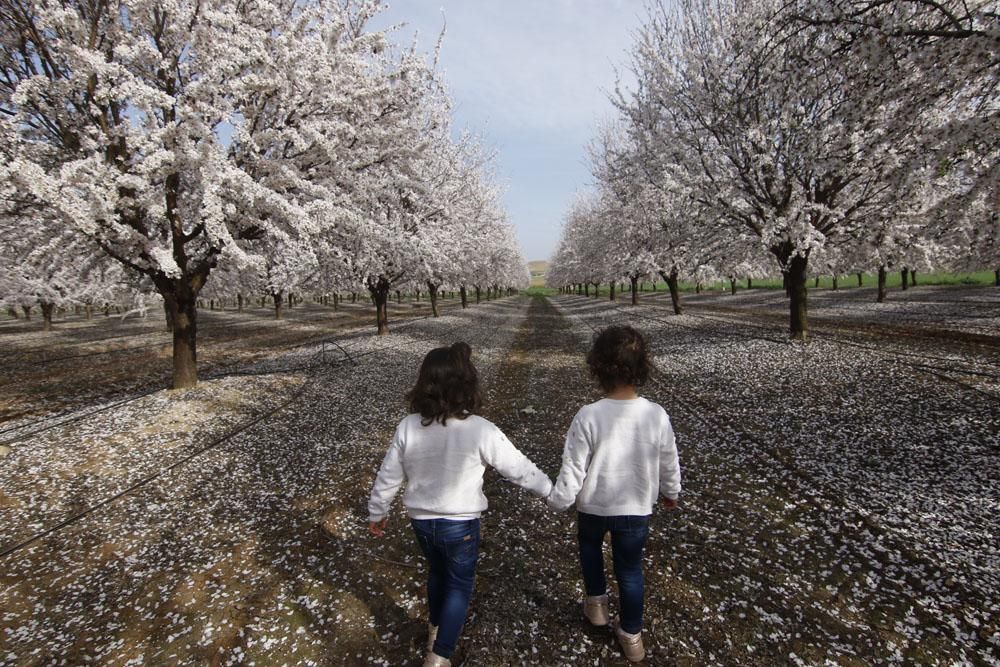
(183, 151)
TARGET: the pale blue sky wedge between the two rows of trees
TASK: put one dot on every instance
(531, 77)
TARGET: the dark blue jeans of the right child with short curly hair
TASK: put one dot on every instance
(628, 537)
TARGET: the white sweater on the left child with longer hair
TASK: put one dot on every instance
(443, 468)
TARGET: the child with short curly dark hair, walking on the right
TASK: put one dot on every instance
(620, 454)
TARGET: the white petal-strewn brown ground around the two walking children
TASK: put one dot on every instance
(840, 506)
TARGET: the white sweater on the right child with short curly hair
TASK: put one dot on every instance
(619, 455)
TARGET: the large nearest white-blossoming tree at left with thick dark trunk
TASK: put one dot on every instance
(169, 131)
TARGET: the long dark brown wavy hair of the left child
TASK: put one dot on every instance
(447, 385)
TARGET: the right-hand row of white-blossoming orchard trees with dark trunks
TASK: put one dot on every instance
(822, 137)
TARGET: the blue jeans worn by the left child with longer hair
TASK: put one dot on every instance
(452, 550)
